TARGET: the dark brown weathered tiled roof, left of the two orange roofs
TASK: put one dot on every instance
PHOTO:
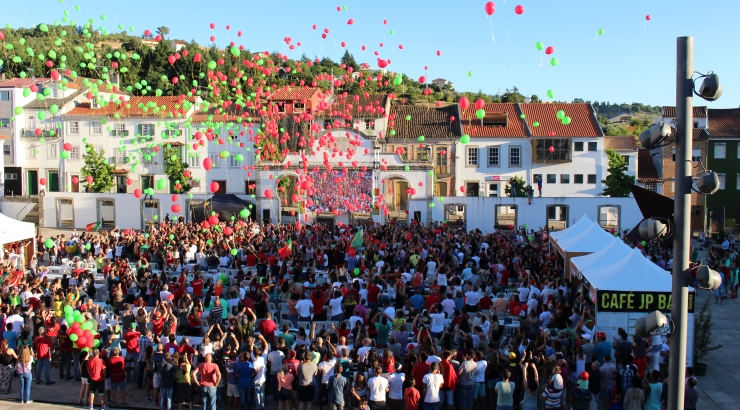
(431, 122)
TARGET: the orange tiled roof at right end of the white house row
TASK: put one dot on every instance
(583, 121)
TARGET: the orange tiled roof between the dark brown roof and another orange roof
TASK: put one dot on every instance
(515, 127)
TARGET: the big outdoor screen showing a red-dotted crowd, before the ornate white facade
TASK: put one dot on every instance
(335, 191)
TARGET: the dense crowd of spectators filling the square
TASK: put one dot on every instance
(419, 317)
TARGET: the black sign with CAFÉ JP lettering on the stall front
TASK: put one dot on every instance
(625, 301)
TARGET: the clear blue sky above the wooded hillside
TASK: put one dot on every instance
(634, 60)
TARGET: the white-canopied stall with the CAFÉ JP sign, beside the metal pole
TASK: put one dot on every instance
(625, 287)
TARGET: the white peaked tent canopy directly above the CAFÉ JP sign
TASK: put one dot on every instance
(633, 273)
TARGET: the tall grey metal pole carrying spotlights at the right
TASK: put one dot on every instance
(681, 220)
